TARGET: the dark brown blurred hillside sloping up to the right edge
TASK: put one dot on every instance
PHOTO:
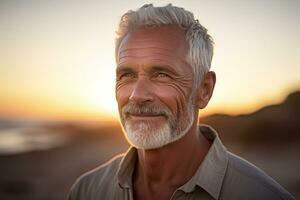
(270, 126)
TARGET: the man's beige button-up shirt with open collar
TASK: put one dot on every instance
(221, 175)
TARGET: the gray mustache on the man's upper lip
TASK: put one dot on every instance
(146, 109)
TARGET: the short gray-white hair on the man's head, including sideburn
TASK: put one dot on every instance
(200, 43)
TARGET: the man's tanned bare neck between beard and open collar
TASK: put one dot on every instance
(174, 164)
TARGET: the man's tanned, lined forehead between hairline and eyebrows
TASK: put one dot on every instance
(166, 37)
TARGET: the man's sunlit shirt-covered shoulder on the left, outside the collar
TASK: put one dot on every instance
(96, 181)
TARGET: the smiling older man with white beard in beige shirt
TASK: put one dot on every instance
(163, 58)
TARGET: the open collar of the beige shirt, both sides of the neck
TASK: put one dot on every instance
(209, 175)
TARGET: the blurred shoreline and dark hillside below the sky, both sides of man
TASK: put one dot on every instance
(54, 154)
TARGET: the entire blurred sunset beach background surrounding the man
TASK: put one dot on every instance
(58, 115)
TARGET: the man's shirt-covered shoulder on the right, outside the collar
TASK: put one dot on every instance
(249, 182)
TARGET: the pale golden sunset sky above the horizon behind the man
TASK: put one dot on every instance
(57, 56)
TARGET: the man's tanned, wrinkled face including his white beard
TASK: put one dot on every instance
(154, 87)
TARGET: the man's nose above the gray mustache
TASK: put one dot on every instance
(142, 92)
